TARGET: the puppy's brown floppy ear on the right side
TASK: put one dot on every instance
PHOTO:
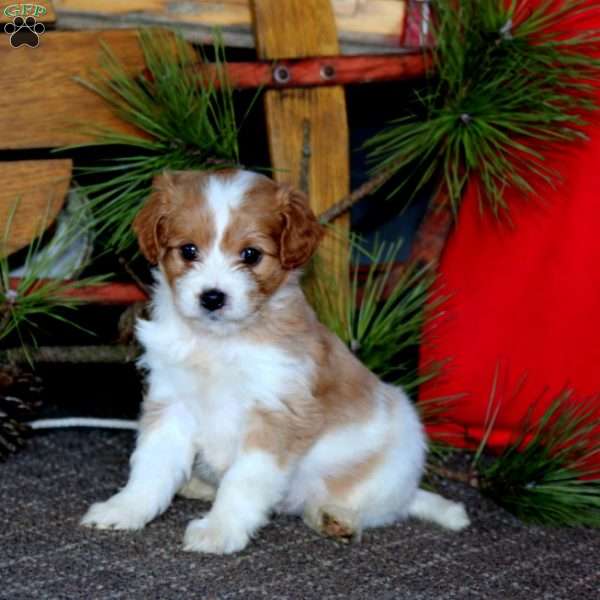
(301, 232)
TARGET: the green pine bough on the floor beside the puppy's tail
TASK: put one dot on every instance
(550, 473)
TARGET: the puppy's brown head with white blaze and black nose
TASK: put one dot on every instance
(225, 241)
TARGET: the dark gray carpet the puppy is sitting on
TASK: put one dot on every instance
(44, 554)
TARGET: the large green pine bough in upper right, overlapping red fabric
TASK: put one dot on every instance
(507, 83)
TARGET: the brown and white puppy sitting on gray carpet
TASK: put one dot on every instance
(252, 403)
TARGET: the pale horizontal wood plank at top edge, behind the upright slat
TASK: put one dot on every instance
(363, 25)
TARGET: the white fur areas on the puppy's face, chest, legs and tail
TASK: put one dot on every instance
(204, 379)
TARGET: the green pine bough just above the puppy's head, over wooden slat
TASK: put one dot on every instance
(188, 121)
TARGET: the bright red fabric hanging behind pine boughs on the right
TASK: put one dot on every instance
(524, 300)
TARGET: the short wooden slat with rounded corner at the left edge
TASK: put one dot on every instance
(32, 194)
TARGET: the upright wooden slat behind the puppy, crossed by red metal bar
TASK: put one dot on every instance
(307, 128)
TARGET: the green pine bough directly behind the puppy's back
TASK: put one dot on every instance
(380, 318)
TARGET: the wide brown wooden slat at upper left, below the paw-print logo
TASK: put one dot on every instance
(41, 105)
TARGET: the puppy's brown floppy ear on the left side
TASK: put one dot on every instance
(148, 220)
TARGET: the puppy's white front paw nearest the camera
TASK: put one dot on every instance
(208, 535)
